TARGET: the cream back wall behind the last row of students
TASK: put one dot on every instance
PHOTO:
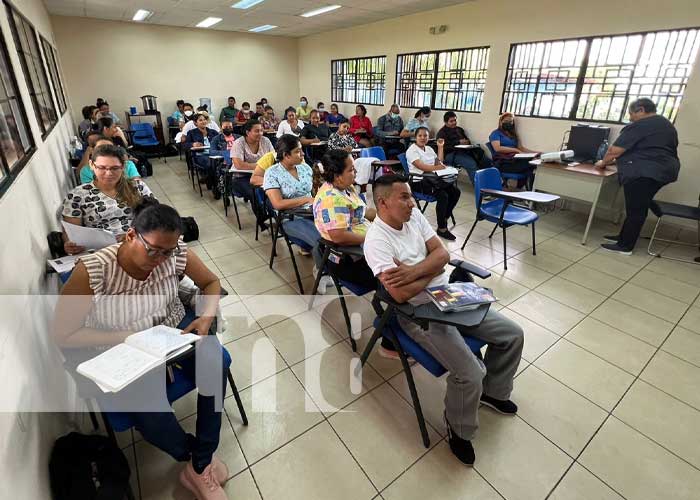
(122, 61)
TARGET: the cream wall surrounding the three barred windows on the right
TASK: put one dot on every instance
(498, 24)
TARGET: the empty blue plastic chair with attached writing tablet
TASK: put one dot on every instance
(500, 211)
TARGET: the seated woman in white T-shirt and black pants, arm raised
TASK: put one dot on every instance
(422, 158)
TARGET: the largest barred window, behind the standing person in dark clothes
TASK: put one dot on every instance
(595, 78)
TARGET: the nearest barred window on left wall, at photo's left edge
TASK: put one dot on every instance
(16, 142)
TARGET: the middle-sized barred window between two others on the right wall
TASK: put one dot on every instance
(444, 80)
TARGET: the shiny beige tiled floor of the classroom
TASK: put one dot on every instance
(608, 388)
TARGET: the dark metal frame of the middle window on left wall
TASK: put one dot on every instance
(11, 10)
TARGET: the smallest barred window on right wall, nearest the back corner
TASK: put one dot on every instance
(360, 80)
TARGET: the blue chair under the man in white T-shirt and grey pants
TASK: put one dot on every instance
(387, 325)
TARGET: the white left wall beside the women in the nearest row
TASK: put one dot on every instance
(29, 360)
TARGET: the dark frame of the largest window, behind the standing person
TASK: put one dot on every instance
(582, 74)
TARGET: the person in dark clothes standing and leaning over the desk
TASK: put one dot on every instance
(646, 155)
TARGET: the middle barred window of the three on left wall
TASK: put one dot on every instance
(27, 45)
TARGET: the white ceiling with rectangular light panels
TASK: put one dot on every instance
(282, 13)
